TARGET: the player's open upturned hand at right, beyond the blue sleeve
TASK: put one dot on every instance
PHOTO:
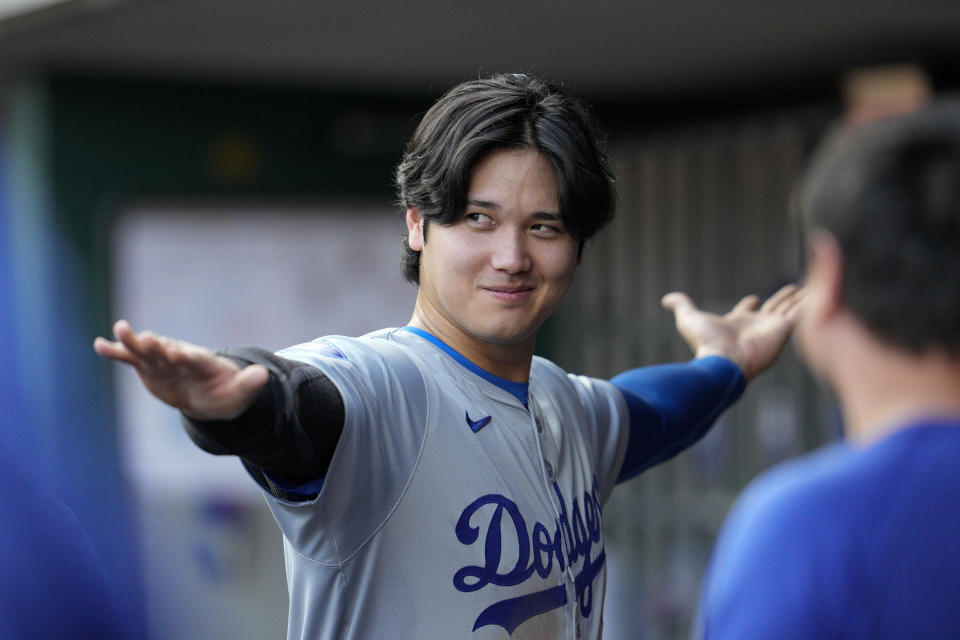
(751, 335)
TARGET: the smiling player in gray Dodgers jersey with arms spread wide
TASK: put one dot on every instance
(437, 480)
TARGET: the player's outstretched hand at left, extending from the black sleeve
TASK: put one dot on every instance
(194, 379)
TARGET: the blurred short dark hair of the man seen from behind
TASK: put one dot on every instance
(889, 192)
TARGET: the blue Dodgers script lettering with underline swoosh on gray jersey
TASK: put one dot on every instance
(575, 534)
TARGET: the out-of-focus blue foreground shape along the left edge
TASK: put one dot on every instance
(52, 582)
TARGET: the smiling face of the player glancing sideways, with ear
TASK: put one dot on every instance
(493, 277)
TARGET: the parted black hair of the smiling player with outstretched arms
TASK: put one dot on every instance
(505, 111)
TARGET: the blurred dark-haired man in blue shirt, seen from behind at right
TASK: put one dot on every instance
(859, 540)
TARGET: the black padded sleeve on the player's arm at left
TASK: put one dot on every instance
(292, 427)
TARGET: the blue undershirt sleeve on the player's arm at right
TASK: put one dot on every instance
(672, 406)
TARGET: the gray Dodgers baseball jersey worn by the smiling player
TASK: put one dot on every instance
(451, 509)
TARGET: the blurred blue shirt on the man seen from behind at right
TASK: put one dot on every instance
(846, 543)
